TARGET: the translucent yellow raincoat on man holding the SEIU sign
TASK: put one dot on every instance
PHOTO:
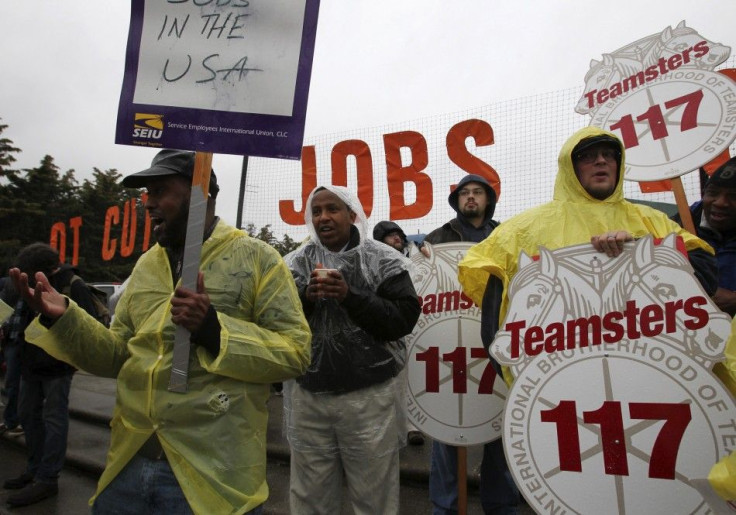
(214, 435)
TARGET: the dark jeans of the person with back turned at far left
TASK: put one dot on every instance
(44, 413)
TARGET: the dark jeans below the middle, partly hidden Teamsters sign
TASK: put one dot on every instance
(498, 492)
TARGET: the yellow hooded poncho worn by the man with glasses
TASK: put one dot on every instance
(571, 218)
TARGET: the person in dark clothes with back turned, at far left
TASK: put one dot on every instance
(45, 382)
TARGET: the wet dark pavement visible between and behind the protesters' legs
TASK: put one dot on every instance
(91, 405)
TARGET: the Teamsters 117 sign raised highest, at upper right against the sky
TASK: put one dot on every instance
(662, 97)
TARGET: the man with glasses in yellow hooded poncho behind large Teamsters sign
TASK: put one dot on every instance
(588, 205)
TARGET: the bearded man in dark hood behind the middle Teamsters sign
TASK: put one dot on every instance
(474, 202)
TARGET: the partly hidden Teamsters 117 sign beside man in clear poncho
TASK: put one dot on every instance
(455, 395)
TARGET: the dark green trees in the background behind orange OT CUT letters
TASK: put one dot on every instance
(33, 200)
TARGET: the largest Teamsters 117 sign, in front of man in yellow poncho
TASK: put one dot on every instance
(614, 408)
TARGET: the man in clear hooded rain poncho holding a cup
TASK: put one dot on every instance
(346, 414)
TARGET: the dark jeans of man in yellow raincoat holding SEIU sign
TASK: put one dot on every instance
(145, 486)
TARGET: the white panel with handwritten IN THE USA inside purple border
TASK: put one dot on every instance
(230, 55)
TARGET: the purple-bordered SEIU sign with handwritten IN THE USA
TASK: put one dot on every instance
(221, 76)
